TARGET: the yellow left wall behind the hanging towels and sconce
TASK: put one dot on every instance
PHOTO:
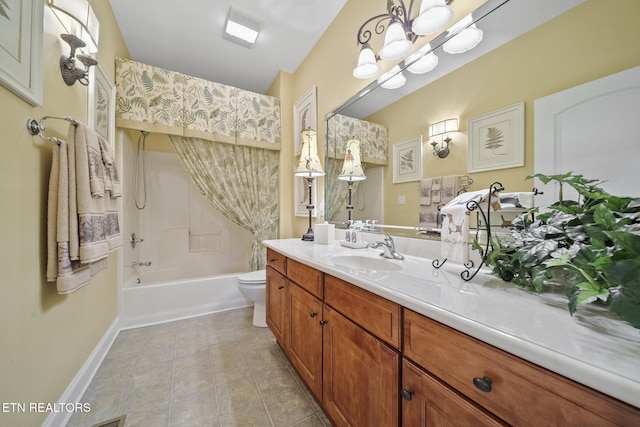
(44, 337)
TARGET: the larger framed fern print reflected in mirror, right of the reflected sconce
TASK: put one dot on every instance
(496, 139)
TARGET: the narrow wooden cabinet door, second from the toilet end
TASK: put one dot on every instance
(304, 345)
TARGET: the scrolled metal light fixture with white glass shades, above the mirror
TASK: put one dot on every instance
(401, 31)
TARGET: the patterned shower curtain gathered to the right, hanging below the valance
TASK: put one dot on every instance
(240, 181)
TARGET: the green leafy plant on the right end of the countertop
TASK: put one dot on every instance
(591, 246)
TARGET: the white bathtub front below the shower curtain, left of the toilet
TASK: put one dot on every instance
(146, 304)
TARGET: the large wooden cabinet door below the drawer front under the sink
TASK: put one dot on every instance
(361, 375)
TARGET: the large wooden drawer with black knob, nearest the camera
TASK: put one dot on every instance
(521, 393)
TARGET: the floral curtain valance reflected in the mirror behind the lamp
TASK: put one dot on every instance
(374, 139)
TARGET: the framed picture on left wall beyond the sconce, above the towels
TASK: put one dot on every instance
(102, 100)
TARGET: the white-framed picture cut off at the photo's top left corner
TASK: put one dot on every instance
(21, 33)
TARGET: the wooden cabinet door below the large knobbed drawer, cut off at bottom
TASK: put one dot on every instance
(428, 402)
